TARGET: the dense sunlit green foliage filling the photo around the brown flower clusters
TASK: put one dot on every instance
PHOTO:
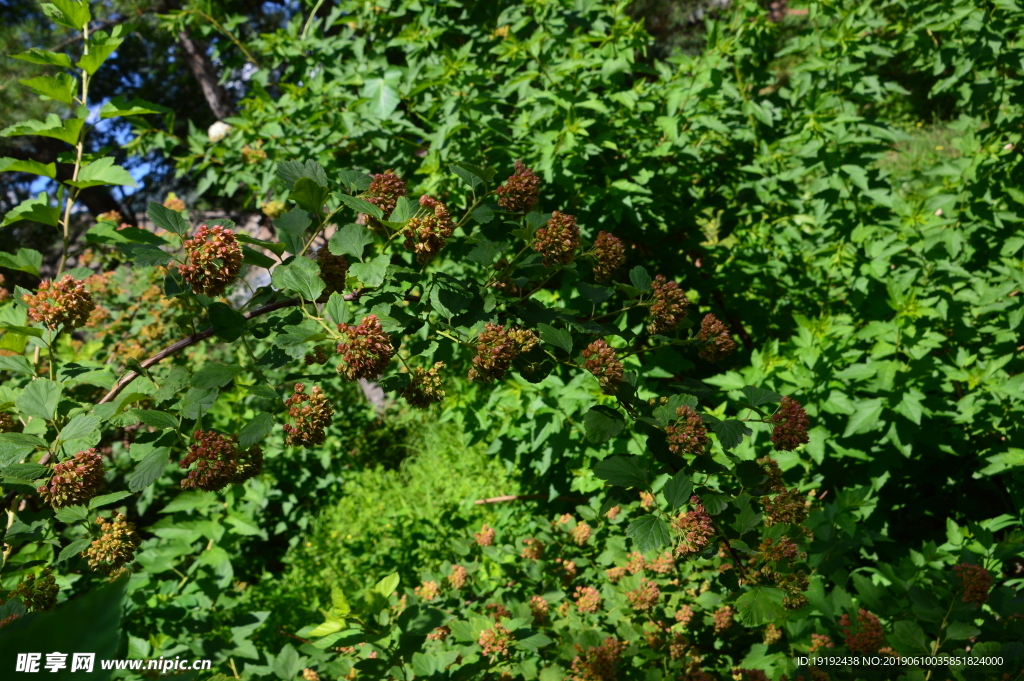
(841, 188)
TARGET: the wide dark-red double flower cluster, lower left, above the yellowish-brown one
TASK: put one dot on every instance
(220, 462)
